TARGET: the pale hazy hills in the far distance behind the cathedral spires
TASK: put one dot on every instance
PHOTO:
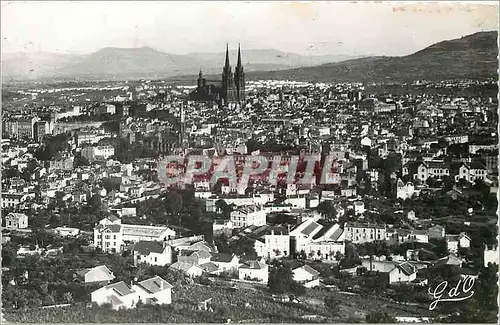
(146, 62)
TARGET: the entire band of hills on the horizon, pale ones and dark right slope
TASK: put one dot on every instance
(473, 56)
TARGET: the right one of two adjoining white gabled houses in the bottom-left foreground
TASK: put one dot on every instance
(154, 291)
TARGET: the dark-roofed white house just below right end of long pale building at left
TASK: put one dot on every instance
(152, 253)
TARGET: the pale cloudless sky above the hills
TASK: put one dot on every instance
(314, 28)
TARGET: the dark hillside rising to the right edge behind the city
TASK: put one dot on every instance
(473, 56)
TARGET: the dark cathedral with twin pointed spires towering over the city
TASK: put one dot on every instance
(231, 90)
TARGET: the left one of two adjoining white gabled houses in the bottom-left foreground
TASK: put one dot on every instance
(119, 295)
